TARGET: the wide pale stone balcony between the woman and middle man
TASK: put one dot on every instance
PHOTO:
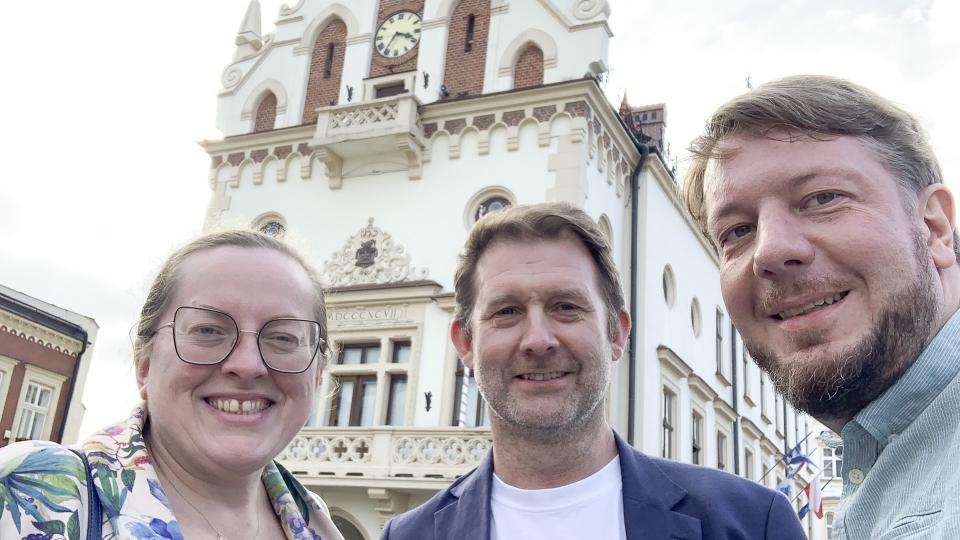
(403, 457)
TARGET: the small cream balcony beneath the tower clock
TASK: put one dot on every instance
(371, 134)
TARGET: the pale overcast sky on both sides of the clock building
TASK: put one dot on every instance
(104, 103)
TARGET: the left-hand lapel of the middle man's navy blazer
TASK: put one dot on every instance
(468, 517)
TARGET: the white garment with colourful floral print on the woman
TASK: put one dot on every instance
(43, 491)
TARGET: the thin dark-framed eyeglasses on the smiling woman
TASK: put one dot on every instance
(204, 336)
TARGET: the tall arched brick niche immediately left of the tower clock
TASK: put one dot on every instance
(321, 92)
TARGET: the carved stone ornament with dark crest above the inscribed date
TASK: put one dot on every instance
(370, 257)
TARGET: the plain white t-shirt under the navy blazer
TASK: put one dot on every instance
(591, 508)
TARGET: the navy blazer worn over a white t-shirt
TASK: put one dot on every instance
(661, 500)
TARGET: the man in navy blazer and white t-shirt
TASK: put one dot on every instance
(540, 319)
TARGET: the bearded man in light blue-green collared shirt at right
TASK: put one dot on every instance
(838, 265)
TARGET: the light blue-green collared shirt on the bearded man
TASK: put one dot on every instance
(901, 453)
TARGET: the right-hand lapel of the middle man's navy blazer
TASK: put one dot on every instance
(648, 498)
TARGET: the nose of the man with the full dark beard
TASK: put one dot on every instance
(782, 245)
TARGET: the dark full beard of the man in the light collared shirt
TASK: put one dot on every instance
(841, 386)
